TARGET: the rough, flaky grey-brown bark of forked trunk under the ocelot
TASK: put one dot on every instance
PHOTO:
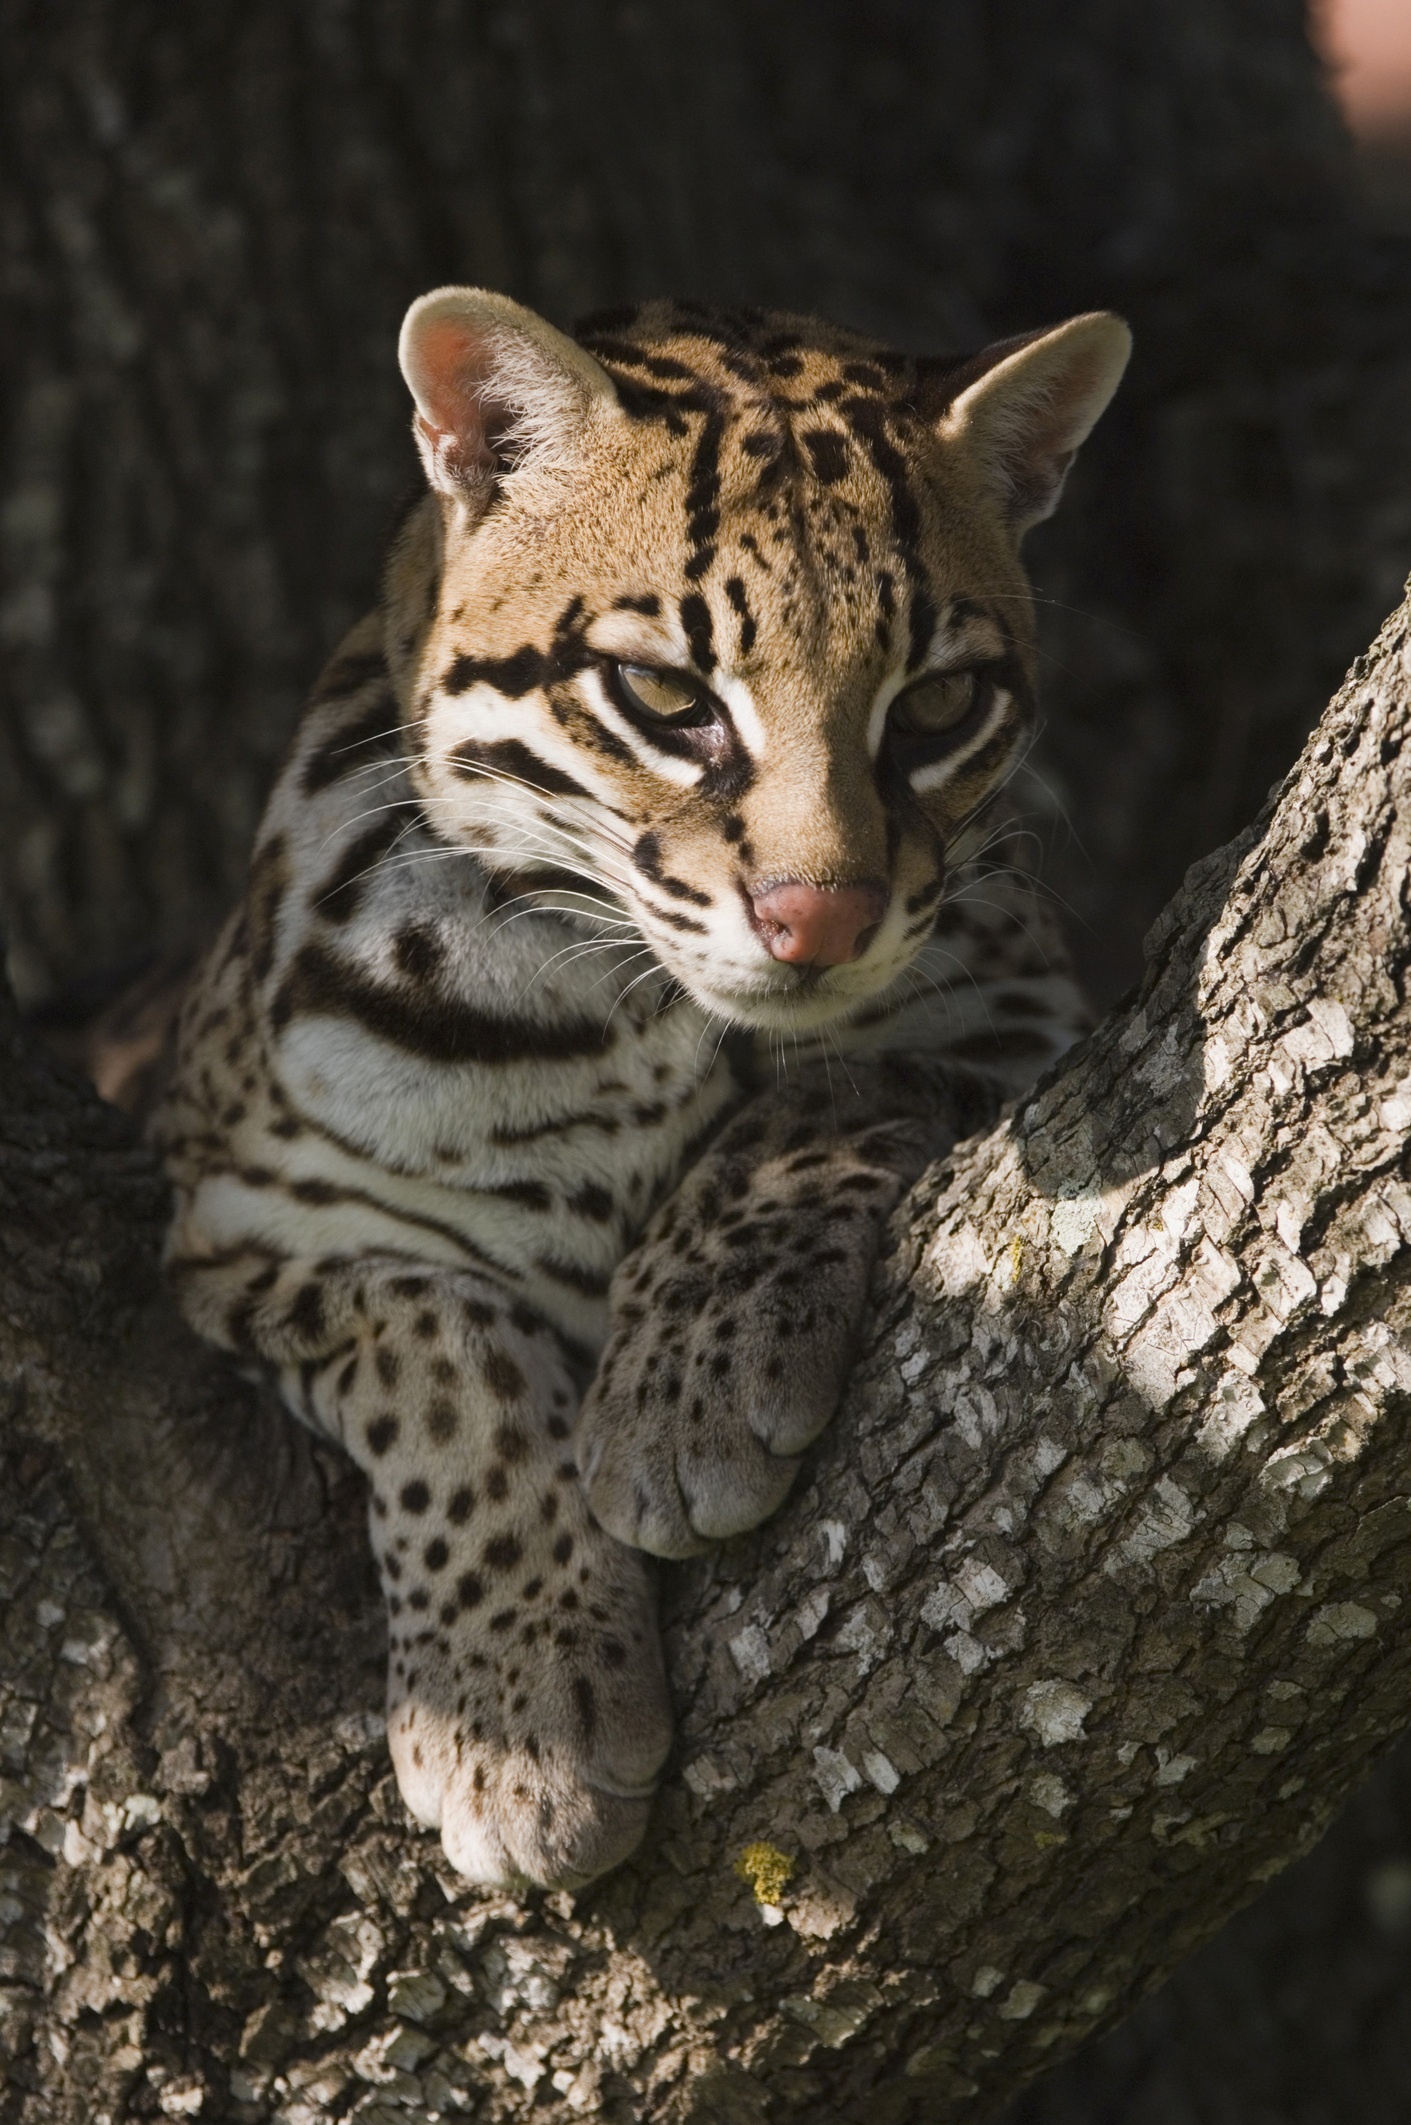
(1089, 1616)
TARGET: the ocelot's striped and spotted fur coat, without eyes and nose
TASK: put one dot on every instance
(496, 1074)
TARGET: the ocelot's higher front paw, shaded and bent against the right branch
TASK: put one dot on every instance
(732, 1338)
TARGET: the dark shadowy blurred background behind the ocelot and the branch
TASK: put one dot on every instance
(211, 220)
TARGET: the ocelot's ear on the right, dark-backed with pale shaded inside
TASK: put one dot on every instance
(1023, 407)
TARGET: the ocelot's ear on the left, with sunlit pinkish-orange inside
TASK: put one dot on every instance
(496, 390)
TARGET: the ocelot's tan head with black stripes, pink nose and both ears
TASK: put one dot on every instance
(730, 634)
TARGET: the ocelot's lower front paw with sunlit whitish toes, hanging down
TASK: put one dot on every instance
(528, 1707)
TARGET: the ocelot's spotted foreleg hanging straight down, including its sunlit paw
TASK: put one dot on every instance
(528, 1712)
